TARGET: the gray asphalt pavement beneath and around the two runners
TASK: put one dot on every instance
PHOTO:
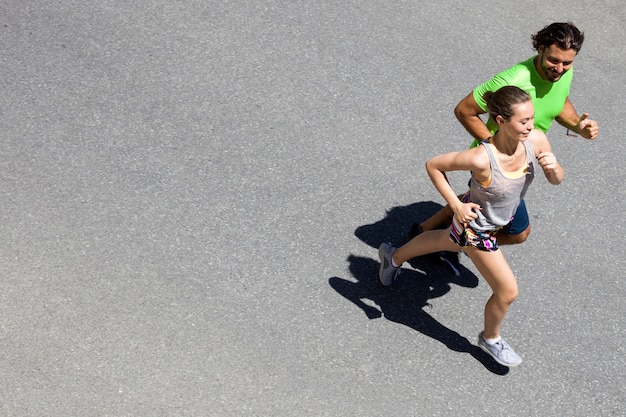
(193, 191)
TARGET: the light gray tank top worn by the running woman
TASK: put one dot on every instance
(500, 199)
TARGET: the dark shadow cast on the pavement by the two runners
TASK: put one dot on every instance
(404, 302)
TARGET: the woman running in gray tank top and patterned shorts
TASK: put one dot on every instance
(502, 168)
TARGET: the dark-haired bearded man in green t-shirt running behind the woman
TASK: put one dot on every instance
(546, 77)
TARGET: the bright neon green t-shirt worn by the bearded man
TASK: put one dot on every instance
(548, 98)
